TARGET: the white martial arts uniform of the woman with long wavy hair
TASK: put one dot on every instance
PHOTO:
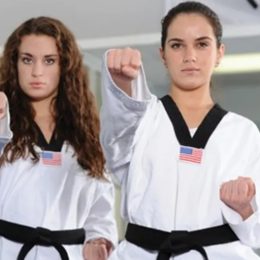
(56, 197)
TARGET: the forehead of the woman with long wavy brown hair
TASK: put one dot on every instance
(38, 45)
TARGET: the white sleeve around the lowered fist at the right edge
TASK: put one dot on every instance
(248, 231)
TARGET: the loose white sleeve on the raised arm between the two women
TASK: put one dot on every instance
(120, 117)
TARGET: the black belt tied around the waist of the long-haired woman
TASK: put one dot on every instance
(31, 237)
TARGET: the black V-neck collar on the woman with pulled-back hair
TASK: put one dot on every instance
(205, 129)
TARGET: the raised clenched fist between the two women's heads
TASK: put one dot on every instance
(124, 66)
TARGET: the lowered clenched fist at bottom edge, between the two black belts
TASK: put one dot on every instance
(98, 249)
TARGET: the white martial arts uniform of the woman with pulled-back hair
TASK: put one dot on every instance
(163, 192)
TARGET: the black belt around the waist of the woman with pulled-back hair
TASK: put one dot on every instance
(178, 242)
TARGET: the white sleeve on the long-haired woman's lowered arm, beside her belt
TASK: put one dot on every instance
(100, 222)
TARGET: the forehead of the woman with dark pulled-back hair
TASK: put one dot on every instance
(190, 25)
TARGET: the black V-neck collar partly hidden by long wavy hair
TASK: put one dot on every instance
(55, 143)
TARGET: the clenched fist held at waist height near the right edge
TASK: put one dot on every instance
(237, 194)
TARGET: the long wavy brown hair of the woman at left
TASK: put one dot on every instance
(75, 112)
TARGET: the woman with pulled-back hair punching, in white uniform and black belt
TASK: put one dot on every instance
(189, 184)
